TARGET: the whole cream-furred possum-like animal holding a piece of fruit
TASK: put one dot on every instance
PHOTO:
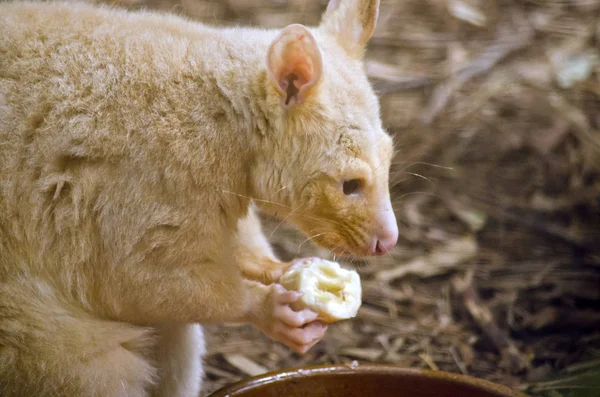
(131, 147)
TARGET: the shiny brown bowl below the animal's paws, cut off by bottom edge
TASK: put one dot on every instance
(364, 380)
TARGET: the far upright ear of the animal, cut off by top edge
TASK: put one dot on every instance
(352, 22)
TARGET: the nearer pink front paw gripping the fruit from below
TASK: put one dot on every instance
(299, 330)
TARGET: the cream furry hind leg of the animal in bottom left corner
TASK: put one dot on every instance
(51, 349)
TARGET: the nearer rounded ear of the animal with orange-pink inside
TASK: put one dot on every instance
(294, 64)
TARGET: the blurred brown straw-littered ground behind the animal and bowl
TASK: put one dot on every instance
(495, 109)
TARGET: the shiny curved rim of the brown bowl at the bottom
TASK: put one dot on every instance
(361, 367)
